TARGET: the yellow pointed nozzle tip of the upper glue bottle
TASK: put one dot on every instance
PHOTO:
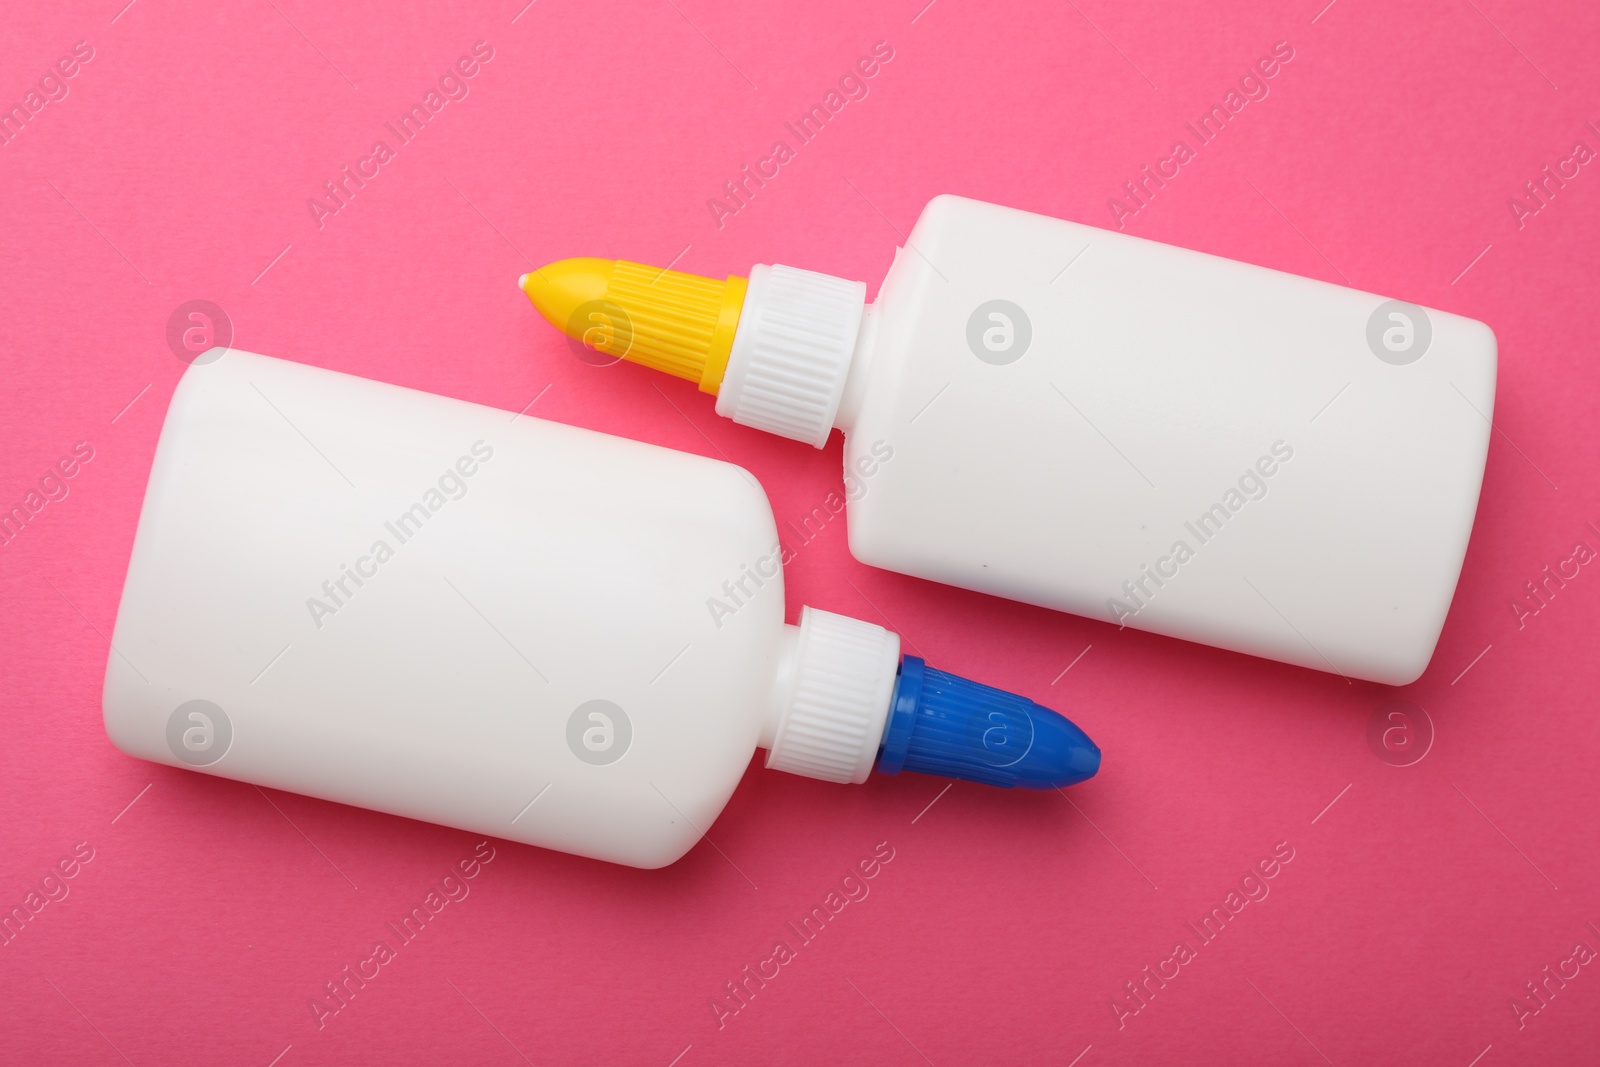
(674, 322)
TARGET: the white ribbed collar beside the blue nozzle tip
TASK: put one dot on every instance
(834, 698)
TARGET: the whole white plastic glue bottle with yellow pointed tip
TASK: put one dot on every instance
(1103, 425)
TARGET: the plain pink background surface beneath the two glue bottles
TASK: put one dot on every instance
(1420, 898)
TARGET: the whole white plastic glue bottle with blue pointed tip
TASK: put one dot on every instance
(460, 615)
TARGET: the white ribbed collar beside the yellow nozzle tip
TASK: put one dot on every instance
(791, 354)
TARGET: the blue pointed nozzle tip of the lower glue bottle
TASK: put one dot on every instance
(942, 724)
